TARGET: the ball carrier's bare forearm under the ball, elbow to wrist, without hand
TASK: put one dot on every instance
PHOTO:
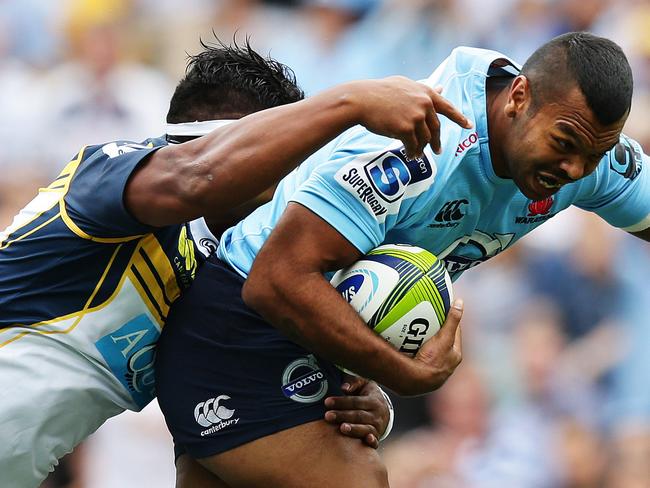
(314, 315)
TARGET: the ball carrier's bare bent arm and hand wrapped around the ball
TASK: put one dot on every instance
(286, 286)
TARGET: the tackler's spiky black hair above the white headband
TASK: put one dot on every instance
(225, 81)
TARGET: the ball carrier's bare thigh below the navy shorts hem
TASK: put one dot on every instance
(309, 455)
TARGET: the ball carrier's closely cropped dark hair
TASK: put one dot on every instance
(597, 65)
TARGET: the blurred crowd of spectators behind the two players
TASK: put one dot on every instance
(554, 390)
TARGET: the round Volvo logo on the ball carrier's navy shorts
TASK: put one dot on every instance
(303, 381)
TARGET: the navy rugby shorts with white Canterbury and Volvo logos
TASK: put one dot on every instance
(225, 377)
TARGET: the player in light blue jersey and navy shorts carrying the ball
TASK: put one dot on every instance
(546, 136)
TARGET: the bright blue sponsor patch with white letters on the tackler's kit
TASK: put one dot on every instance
(130, 354)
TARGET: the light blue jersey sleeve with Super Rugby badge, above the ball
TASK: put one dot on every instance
(362, 189)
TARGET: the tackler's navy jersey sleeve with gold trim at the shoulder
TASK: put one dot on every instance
(94, 201)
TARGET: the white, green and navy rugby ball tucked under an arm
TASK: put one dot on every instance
(402, 292)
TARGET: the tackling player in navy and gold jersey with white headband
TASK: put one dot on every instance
(90, 268)
